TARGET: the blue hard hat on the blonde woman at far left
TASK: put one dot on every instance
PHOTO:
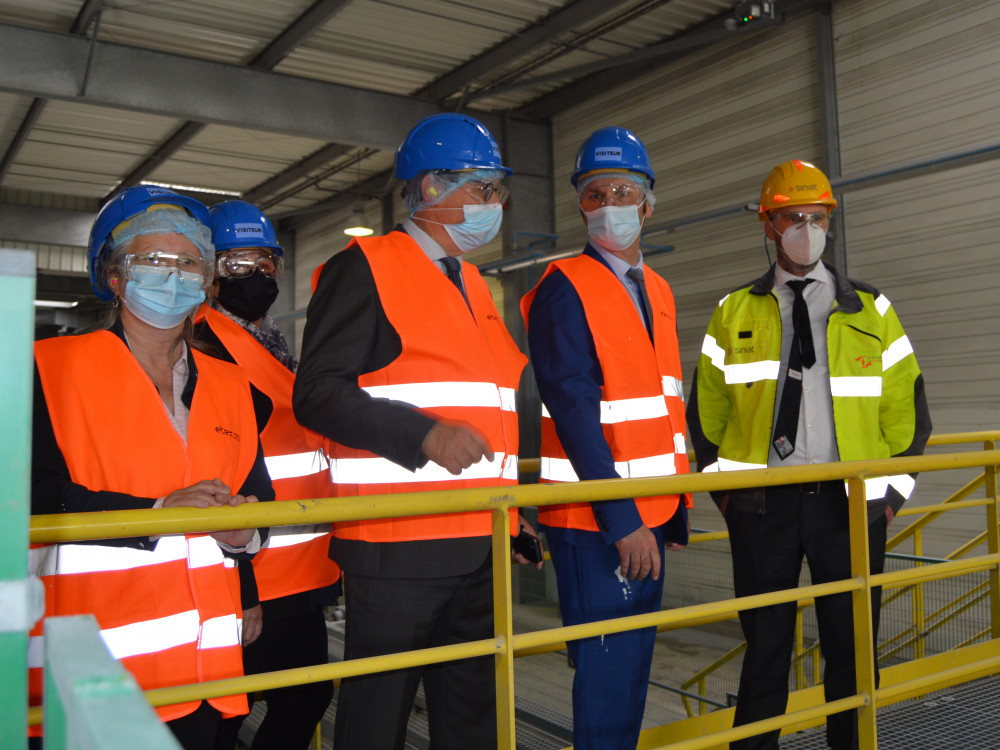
(126, 205)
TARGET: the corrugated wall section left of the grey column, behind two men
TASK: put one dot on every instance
(714, 124)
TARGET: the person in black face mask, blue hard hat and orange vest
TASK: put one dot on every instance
(295, 578)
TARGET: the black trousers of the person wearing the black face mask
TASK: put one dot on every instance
(286, 642)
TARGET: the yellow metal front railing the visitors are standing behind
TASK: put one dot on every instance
(505, 644)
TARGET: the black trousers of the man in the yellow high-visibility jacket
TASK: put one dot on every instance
(767, 549)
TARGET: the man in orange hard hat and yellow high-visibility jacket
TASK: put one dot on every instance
(803, 366)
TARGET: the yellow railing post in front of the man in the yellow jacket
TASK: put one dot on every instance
(864, 650)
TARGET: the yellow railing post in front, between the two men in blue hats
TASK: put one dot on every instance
(503, 628)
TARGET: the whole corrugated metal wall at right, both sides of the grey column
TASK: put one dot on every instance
(914, 81)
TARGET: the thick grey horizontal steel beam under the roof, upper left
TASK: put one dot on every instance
(42, 63)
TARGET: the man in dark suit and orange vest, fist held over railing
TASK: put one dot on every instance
(410, 373)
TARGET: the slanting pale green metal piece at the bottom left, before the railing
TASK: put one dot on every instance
(91, 701)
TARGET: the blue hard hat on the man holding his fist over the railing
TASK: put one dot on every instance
(447, 141)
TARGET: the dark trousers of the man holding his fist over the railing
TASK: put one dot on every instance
(388, 615)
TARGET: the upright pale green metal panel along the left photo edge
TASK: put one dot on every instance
(17, 293)
